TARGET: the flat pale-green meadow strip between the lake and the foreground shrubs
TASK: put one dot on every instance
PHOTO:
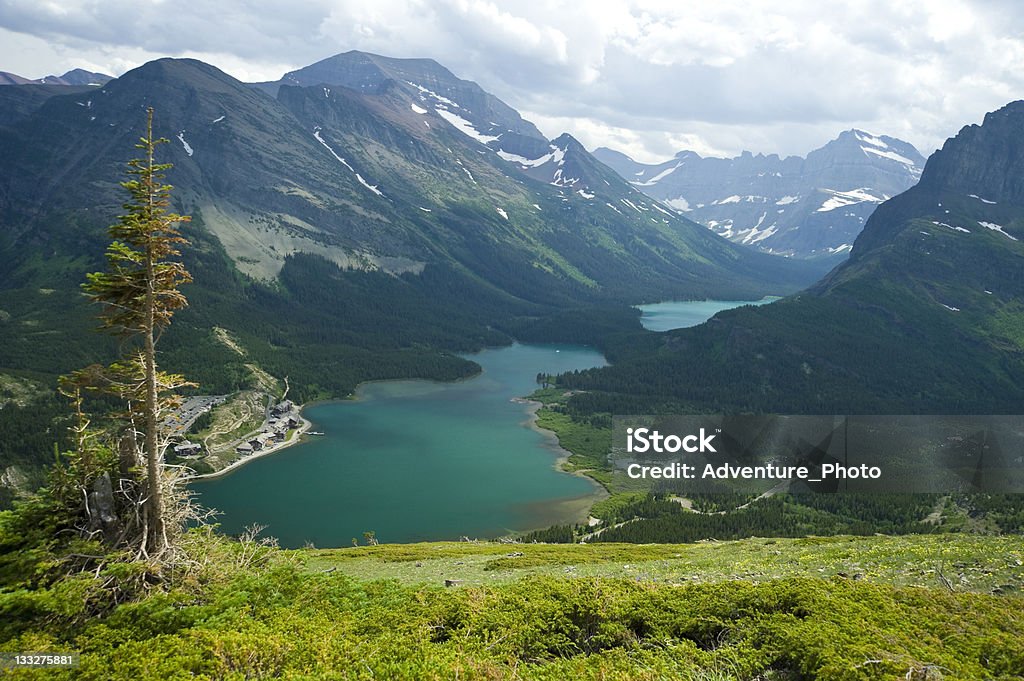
(982, 565)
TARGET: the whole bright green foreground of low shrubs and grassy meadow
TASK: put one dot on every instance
(918, 608)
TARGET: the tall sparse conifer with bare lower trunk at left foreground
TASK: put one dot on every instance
(140, 293)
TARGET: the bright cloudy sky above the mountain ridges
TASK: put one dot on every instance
(649, 78)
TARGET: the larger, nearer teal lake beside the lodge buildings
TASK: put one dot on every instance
(416, 461)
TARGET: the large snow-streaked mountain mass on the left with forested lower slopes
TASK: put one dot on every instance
(359, 207)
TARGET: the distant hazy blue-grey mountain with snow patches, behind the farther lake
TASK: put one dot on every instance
(810, 207)
